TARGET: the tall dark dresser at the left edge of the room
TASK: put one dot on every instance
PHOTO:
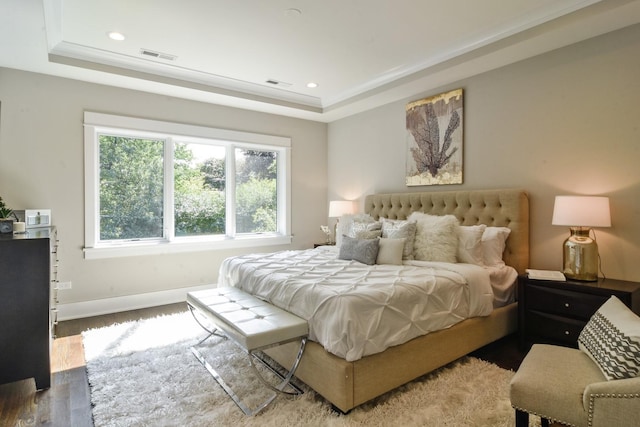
(25, 286)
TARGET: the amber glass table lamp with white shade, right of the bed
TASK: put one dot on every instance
(580, 251)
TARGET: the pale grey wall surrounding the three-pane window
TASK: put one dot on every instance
(41, 166)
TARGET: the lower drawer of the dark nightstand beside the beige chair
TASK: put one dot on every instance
(545, 327)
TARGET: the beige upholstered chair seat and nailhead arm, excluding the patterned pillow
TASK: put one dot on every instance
(564, 385)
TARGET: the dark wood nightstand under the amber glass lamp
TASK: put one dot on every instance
(555, 312)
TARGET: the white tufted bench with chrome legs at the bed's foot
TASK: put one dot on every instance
(254, 325)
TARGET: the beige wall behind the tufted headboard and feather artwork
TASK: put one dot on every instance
(566, 122)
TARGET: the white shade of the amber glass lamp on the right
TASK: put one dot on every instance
(581, 211)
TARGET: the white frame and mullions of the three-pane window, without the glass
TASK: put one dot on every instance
(96, 123)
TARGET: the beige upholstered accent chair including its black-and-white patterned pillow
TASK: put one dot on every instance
(597, 385)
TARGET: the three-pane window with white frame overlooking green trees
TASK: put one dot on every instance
(157, 187)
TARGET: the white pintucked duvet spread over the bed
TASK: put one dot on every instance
(355, 310)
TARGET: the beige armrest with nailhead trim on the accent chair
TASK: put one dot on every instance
(615, 402)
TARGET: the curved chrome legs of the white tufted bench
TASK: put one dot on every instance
(285, 380)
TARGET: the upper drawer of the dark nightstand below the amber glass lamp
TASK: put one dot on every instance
(563, 302)
